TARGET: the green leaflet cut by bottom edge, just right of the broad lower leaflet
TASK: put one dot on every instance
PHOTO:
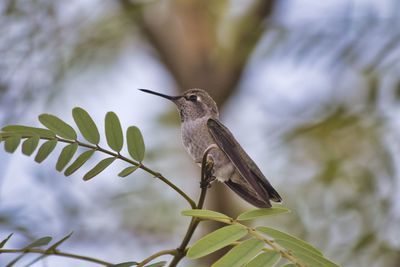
(240, 254)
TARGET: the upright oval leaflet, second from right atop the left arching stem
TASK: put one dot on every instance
(114, 135)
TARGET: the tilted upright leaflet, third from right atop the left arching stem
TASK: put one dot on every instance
(86, 125)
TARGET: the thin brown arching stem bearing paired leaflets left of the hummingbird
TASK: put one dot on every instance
(119, 156)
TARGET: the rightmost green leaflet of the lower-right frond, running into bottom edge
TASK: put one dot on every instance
(309, 257)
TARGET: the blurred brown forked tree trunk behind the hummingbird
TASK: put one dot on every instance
(185, 36)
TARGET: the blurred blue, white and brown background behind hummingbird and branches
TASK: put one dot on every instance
(310, 88)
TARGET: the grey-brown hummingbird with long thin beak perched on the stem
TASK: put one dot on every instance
(202, 129)
